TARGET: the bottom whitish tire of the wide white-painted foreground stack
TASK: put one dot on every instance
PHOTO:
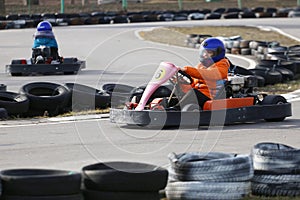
(195, 190)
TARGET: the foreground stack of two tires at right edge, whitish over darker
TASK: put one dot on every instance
(276, 170)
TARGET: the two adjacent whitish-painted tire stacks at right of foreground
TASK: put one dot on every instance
(271, 169)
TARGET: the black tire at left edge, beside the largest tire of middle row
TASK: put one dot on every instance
(14, 103)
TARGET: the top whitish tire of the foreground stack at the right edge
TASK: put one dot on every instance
(275, 158)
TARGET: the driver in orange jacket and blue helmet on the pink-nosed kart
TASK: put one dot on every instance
(208, 75)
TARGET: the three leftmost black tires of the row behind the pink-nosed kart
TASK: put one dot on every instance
(51, 99)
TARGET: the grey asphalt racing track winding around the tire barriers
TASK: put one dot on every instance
(115, 54)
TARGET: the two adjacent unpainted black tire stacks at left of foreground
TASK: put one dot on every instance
(107, 181)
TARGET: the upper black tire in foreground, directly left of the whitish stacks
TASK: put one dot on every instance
(124, 176)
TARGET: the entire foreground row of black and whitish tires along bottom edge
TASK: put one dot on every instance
(272, 169)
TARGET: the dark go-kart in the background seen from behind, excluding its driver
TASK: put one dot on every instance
(43, 62)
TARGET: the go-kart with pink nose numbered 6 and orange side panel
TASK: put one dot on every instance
(237, 102)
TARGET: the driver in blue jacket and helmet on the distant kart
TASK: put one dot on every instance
(44, 37)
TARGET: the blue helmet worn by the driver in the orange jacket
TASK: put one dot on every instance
(215, 47)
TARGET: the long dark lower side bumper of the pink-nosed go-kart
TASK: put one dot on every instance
(202, 118)
